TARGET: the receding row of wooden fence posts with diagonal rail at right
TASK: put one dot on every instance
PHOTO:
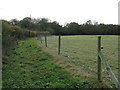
(100, 57)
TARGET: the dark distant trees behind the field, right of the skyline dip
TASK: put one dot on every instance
(90, 29)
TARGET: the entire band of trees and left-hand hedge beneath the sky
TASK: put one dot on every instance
(14, 30)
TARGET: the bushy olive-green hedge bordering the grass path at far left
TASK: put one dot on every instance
(11, 34)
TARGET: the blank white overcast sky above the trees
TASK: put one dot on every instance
(62, 11)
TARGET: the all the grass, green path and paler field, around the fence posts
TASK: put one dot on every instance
(29, 65)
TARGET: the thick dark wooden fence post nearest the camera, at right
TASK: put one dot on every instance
(99, 60)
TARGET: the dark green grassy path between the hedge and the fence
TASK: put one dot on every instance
(28, 66)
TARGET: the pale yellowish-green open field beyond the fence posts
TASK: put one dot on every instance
(81, 51)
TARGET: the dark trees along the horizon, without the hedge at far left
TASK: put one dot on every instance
(73, 28)
